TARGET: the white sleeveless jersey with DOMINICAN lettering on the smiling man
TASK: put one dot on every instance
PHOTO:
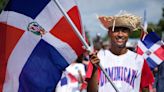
(124, 70)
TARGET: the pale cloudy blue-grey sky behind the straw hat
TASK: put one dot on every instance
(89, 9)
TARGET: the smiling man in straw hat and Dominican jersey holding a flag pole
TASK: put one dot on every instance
(128, 70)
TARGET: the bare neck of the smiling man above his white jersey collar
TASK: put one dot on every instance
(118, 50)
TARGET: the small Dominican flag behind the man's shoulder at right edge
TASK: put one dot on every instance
(151, 48)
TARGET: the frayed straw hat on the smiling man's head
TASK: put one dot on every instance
(123, 19)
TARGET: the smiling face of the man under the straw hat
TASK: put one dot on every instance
(119, 37)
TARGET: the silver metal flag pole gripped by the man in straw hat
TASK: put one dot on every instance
(82, 40)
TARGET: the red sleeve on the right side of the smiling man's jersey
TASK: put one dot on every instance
(147, 77)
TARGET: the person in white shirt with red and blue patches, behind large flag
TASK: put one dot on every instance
(72, 79)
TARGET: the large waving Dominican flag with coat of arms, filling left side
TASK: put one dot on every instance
(36, 44)
